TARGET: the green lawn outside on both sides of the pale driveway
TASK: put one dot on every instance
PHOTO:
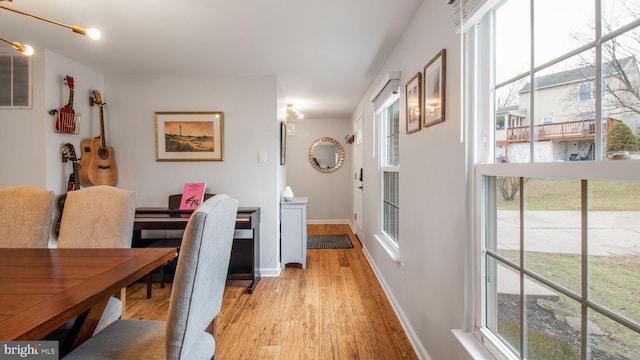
(614, 281)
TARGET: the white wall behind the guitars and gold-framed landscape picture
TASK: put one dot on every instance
(129, 128)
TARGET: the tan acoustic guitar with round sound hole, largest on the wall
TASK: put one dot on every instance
(97, 166)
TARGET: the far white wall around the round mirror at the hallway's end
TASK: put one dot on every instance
(330, 197)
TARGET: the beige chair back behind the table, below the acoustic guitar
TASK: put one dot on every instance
(100, 216)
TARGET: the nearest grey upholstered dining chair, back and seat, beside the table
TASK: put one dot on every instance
(196, 297)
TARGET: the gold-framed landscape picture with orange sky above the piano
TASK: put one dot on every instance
(189, 136)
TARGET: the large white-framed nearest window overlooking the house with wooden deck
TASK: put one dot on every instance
(557, 254)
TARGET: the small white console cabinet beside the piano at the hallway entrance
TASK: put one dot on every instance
(293, 232)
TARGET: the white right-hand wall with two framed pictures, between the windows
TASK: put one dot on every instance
(427, 285)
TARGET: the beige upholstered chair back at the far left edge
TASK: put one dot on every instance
(26, 215)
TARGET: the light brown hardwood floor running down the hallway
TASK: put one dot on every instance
(335, 309)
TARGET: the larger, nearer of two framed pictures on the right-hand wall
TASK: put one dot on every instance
(434, 89)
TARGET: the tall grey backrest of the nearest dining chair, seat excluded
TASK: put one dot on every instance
(198, 285)
